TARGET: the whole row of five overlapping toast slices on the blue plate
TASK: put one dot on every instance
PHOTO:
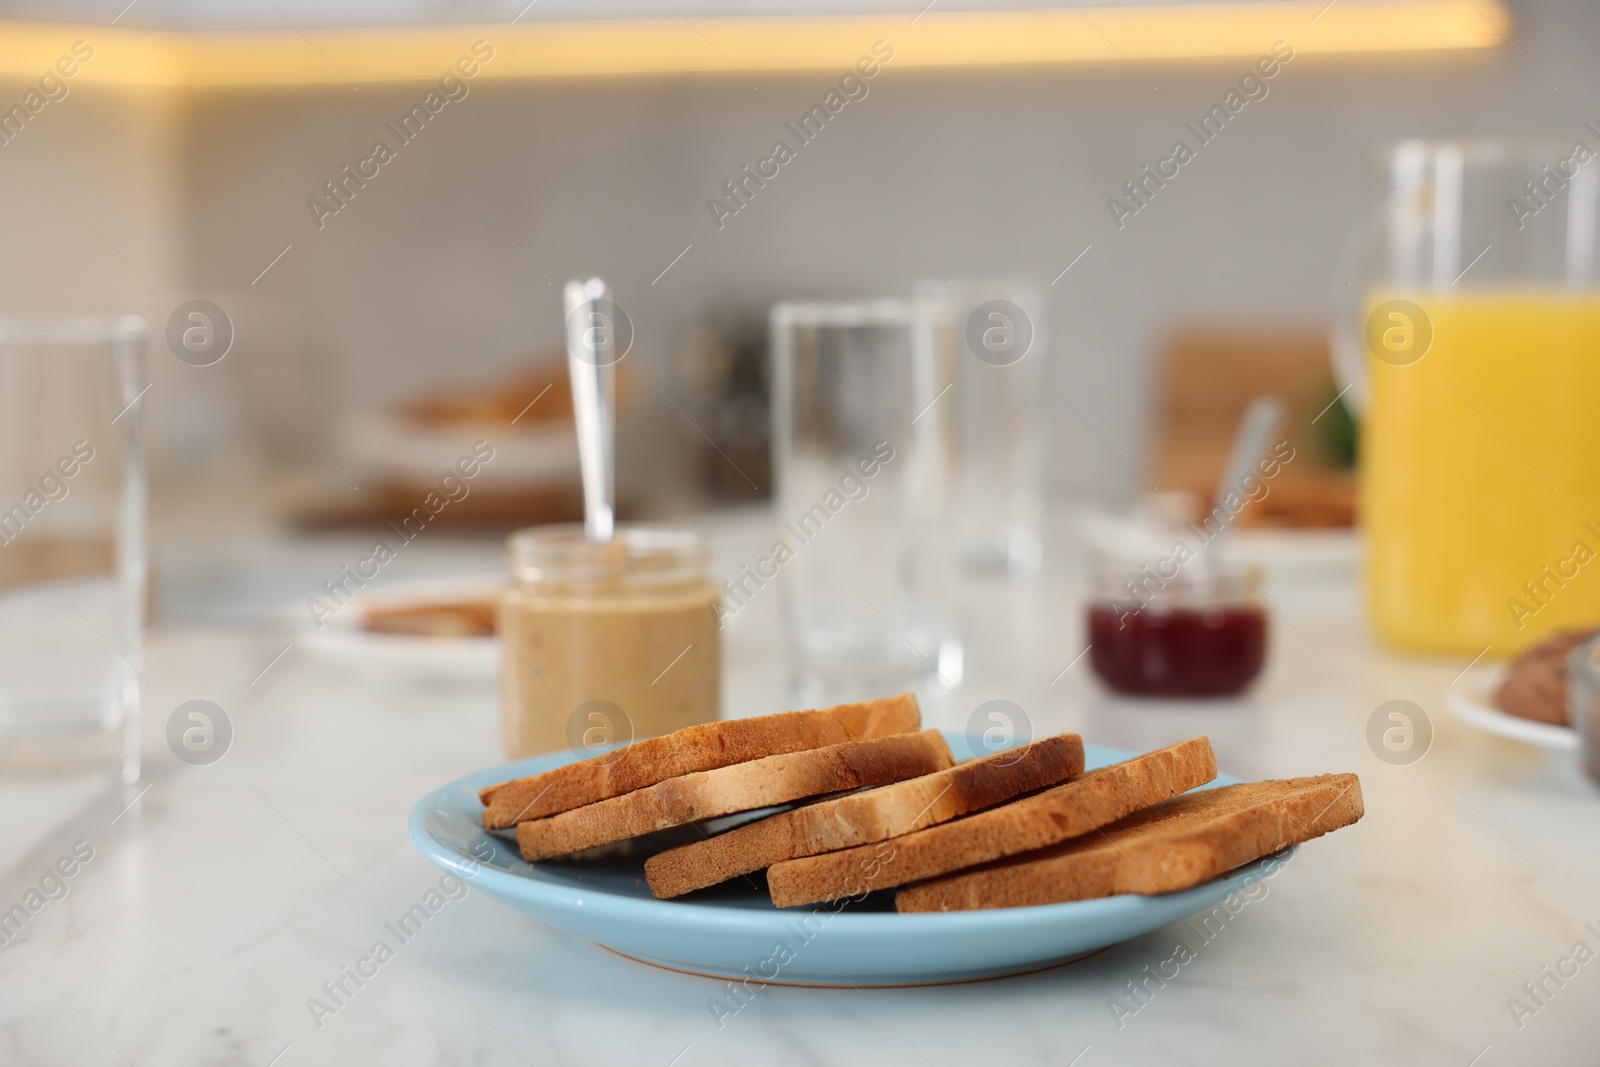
(871, 802)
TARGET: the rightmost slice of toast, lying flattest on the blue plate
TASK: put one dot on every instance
(1174, 845)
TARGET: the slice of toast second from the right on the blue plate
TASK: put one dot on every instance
(1087, 802)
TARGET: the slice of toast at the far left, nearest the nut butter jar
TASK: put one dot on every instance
(694, 749)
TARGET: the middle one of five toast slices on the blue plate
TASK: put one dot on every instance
(870, 817)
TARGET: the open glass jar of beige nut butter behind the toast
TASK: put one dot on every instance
(607, 644)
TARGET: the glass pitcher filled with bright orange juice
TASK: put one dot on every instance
(1473, 342)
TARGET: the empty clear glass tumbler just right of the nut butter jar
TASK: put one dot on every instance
(860, 446)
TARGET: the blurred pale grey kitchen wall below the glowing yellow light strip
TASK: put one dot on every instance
(964, 174)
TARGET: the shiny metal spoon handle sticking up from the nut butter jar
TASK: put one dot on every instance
(591, 366)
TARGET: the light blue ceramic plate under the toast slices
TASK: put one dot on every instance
(735, 932)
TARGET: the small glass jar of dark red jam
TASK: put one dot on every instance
(1193, 628)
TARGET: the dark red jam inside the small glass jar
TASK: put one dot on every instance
(1180, 652)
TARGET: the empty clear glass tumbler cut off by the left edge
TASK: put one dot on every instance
(73, 546)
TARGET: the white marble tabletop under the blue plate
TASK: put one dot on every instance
(222, 898)
